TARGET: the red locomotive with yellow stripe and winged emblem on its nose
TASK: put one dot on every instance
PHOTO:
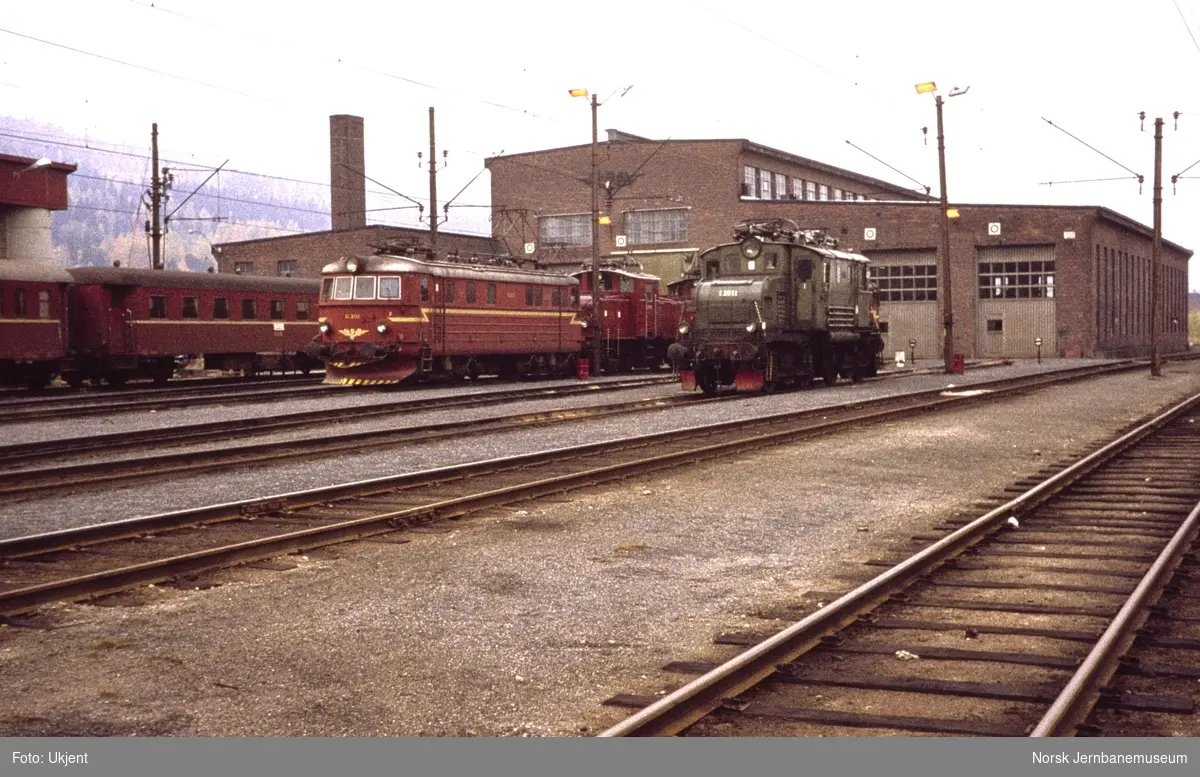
(391, 318)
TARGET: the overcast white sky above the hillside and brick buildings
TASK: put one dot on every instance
(256, 81)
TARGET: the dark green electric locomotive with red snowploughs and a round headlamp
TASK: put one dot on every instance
(779, 306)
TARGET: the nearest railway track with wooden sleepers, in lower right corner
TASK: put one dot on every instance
(1072, 609)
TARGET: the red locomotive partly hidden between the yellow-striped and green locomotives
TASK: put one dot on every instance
(638, 323)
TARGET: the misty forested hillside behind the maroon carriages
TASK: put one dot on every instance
(109, 202)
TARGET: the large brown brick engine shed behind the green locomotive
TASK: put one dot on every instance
(1075, 278)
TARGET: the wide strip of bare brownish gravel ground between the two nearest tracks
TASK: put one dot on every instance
(521, 622)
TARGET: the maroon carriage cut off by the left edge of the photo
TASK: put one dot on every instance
(33, 322)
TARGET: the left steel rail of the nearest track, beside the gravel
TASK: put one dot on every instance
(686, 706)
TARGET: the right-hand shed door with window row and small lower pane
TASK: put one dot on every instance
(1016, 302)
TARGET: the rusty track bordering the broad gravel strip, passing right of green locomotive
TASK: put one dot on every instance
(110, 558)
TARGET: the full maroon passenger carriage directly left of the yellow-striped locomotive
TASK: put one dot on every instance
(141, 323)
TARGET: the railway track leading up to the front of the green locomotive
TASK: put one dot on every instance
(109, 471)
